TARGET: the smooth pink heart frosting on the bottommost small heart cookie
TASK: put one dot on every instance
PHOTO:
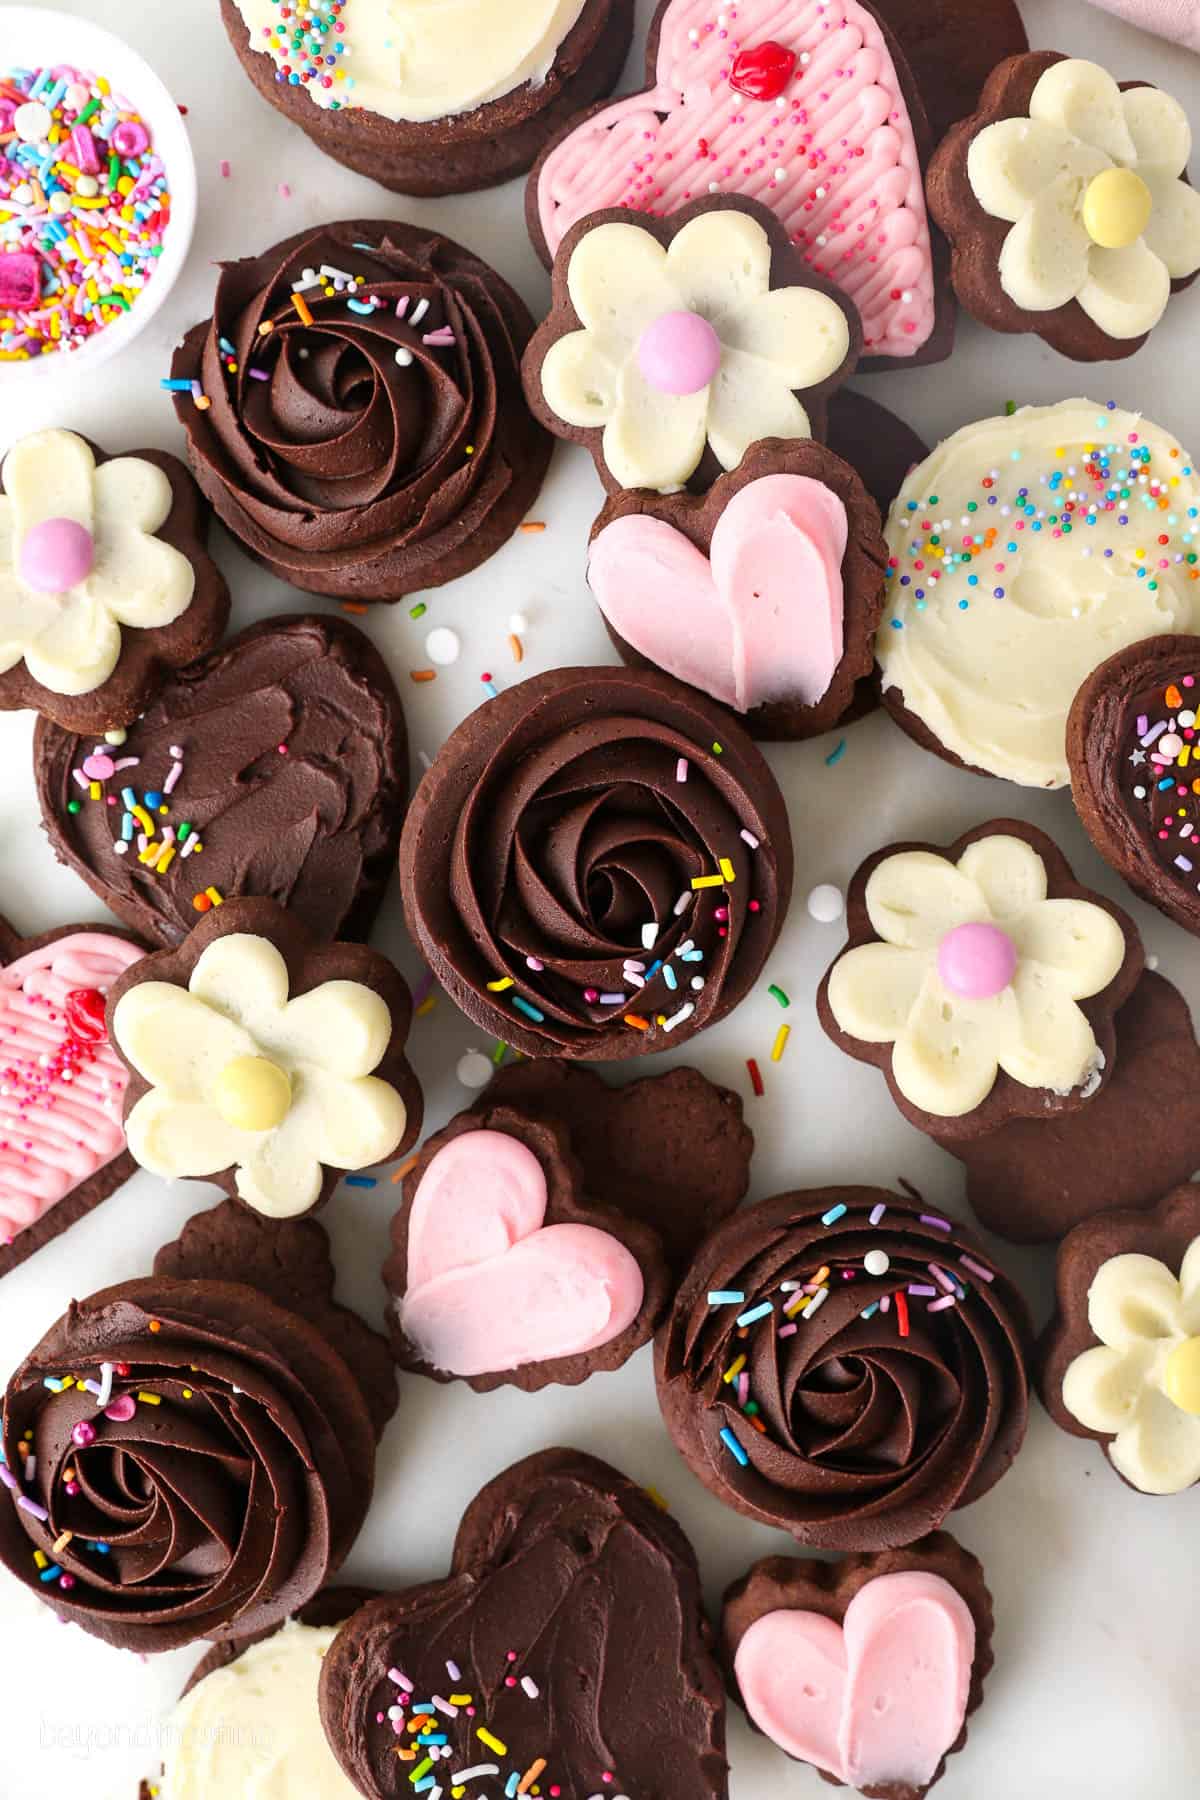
(875, 1700)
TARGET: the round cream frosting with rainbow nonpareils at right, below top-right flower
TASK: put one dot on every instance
(1023, 553)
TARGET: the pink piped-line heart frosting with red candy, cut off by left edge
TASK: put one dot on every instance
(60, 1093)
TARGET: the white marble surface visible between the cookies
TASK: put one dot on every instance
(1095, 1689)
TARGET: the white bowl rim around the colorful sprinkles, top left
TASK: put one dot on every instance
(30, 39)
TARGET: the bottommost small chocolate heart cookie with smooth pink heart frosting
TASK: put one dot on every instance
(864, 1669)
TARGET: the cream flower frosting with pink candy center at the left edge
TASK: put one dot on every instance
(80, 559)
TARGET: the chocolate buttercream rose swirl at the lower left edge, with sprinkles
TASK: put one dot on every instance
(219, 1486)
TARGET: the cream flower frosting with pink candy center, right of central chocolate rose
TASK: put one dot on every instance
(953, 1038)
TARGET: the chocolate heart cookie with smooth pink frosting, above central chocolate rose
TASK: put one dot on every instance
(766, 593)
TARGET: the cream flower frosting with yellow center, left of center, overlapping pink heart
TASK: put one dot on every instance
(202, 1050)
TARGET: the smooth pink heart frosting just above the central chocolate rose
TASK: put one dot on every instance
(757, 620)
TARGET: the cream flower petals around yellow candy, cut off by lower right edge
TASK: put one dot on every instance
(1143, 1317)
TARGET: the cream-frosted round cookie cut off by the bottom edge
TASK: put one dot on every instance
(246, 1695)
